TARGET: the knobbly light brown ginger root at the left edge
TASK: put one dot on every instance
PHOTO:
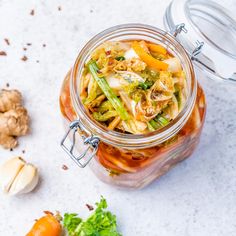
(14, 120)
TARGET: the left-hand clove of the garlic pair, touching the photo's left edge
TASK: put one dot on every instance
(8, 172)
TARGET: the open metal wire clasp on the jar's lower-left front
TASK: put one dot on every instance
(90, 141)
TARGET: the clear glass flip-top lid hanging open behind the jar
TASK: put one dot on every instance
(208, 33)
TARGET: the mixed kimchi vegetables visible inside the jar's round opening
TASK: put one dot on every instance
(133, 87)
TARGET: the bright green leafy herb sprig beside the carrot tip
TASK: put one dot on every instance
(100, 223)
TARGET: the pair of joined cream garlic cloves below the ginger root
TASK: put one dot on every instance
(18, 177)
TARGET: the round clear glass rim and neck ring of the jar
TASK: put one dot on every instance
(133, 32)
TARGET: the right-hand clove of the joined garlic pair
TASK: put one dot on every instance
(26, 180)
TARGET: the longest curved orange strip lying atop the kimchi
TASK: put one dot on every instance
(148, 59)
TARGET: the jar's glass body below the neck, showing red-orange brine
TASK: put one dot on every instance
(136, 168)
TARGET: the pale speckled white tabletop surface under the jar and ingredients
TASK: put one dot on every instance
(196, 198)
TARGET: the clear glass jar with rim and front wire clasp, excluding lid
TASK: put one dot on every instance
(126, 160)
